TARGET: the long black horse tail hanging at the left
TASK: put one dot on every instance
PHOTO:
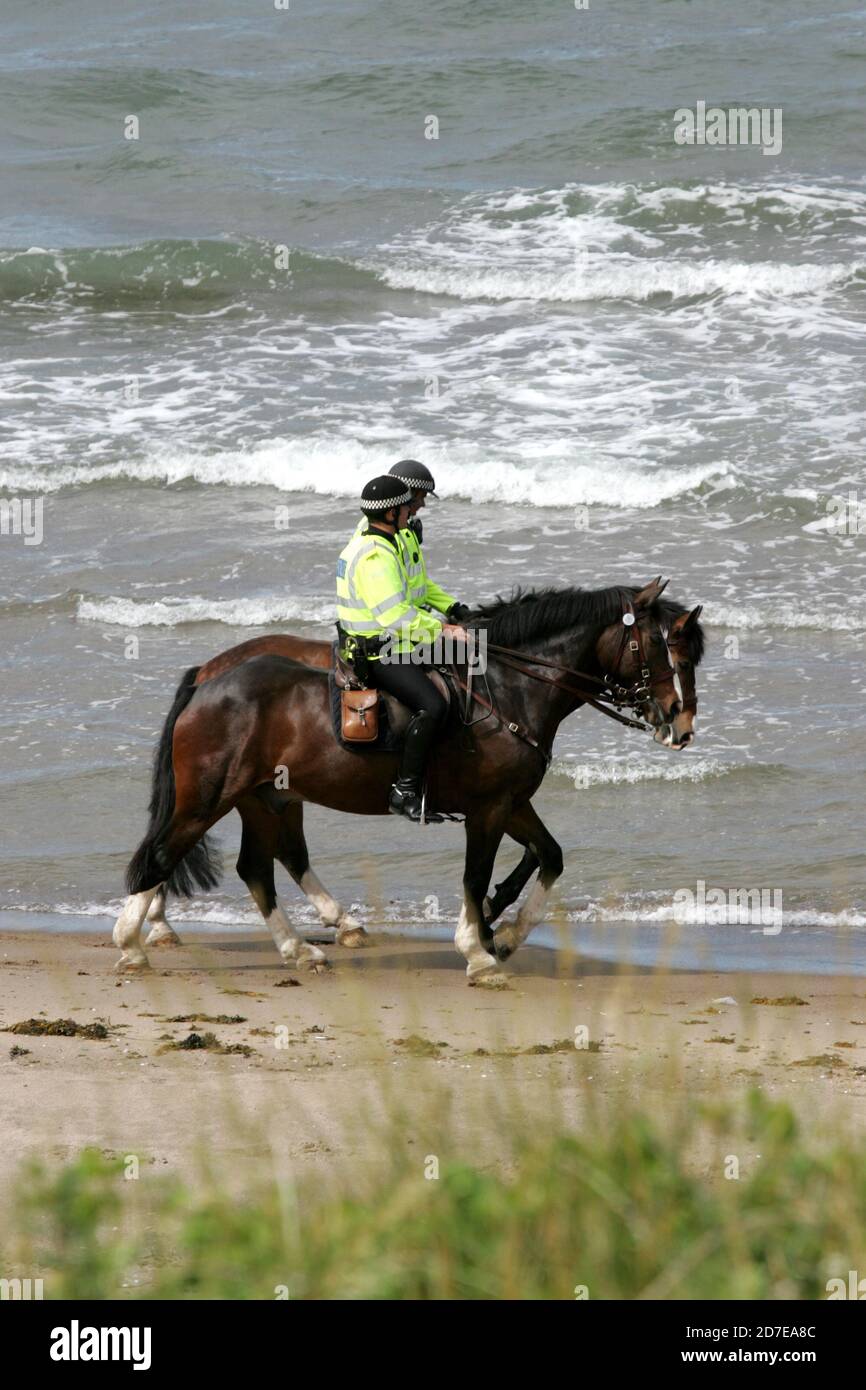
(201, 868)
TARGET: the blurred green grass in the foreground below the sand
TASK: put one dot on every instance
(625, 1209)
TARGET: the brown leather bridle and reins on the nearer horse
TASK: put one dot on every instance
(610, 697)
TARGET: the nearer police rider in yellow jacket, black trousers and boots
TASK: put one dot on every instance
(384, 615)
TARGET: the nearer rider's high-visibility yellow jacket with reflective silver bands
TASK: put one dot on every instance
(375, 597)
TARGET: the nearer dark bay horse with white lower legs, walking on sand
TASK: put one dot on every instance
(255, 714)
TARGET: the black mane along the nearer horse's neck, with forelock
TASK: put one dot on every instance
(537, 614)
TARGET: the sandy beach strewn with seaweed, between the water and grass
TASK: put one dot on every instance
(390, 1025)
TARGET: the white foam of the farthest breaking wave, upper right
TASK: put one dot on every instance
(614, 243)
